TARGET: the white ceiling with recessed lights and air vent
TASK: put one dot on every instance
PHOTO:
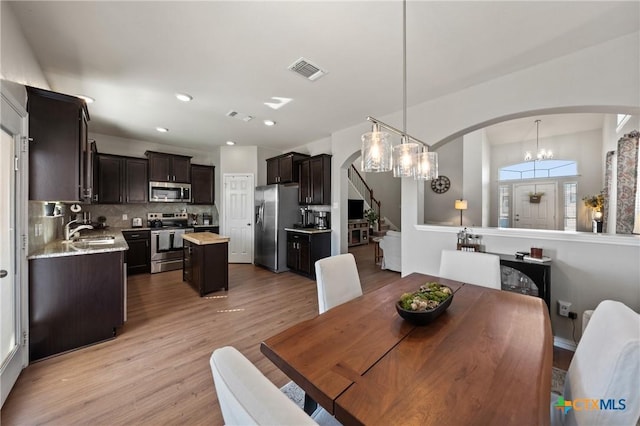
(132, 57)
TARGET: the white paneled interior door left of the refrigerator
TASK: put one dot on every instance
(238, 216)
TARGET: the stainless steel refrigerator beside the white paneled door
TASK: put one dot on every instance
(276, 208)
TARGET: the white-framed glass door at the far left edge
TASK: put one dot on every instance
(13, 353)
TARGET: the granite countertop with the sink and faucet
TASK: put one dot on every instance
(59, 248)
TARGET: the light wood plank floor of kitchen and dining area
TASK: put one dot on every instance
(157, 370)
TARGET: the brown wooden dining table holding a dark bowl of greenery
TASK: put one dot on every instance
(486, 360)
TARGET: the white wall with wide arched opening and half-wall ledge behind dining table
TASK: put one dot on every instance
(583, 78)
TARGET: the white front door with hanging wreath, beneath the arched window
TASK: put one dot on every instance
(530, 215)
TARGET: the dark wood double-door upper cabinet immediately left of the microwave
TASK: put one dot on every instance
(120, 179)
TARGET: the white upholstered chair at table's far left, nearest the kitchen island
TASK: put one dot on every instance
(338, 281)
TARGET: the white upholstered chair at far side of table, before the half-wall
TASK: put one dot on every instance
(481, 269)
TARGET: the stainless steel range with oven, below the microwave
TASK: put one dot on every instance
(167, 230)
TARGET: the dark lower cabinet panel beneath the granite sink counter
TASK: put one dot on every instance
(74, 301)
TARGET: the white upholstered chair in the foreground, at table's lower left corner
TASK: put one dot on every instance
(247, 397)
